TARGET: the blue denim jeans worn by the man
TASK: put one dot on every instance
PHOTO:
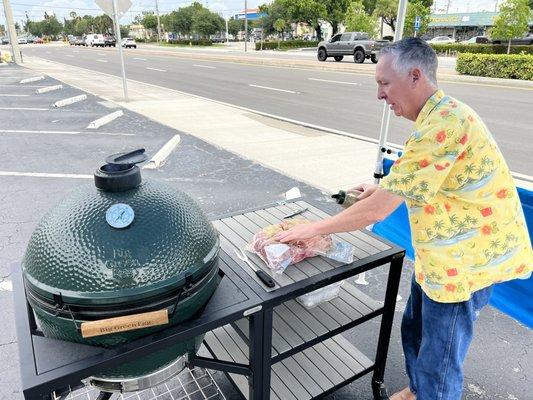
(435, 339)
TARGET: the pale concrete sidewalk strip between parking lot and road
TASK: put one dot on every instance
(324, 160)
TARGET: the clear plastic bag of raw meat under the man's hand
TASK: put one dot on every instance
(278, 256)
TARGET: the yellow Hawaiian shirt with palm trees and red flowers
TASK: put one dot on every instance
(468, 227)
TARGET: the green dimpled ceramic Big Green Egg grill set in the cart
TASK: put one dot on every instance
(122, 248)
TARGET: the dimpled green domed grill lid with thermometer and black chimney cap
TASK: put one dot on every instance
(108, 246)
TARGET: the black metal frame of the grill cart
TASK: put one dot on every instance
(49, 365)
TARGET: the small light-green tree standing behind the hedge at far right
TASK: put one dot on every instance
(512, 21)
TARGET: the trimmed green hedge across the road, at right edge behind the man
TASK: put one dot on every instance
(513, 66)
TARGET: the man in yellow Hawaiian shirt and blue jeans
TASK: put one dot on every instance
(468, 228)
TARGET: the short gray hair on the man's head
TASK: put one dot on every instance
(413, 53)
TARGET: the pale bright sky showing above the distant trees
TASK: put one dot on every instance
(62, 8)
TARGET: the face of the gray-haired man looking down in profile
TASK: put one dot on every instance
(396, 89)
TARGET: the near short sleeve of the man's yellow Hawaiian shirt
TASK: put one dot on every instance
(428, 157)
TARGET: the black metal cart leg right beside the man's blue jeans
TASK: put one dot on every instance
(395, 272)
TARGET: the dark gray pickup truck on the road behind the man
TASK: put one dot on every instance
(356, 44)
